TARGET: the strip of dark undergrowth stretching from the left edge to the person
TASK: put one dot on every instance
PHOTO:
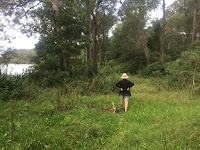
(78, 80)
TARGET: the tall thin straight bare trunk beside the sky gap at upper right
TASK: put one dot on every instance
(163, 34)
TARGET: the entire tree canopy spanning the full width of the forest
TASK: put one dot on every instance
(76, 34)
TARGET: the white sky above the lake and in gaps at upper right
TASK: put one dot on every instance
(23, 42)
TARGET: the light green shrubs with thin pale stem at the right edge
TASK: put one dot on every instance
(185, 70)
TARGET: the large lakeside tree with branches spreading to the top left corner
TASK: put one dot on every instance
(59, 25)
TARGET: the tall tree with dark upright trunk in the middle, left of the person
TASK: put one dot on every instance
(100, 18)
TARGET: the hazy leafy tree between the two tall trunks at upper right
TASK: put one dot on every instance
(179, 27)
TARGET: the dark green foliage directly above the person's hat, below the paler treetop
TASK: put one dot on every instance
(129, 55)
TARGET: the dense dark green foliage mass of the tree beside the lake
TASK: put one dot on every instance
(57, 52)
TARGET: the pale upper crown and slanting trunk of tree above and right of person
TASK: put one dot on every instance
(134, 16)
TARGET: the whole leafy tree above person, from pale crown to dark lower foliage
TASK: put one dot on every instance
(130, 38)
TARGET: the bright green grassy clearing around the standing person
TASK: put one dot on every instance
(156, 119)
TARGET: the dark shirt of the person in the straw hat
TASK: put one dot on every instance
(125, 84)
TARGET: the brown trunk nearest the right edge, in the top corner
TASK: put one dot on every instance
(194, 20)
